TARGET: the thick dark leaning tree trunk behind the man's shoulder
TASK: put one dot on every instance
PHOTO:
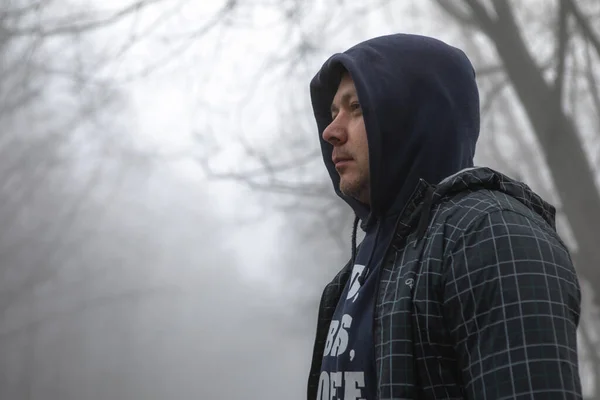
(558, 136)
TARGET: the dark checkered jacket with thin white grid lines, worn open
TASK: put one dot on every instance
(484, 306)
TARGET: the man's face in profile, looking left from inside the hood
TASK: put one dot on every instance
(348, 136)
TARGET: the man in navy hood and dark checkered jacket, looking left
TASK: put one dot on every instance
(461, 288)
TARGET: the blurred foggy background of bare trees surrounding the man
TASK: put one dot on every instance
(167, 224)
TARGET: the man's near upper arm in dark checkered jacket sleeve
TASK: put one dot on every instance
(512, 305)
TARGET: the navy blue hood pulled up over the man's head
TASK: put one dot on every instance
(420, 105)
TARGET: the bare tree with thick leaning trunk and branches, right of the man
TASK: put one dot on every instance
(559, 98)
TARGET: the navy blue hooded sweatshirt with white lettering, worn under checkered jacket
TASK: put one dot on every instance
(420, 107)
